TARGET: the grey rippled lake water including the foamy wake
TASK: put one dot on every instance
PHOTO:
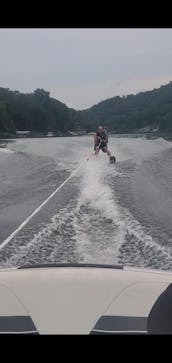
(106, 213)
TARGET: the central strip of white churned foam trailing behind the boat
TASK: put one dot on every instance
(99, 243)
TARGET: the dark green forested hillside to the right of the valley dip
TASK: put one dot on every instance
(132, 112)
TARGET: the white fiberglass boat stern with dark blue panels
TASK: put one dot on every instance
(78, 299)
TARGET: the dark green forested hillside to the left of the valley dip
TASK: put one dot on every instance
(36, 112)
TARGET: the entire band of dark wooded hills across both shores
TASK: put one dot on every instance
(38, 112)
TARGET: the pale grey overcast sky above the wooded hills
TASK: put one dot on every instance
(82, 67)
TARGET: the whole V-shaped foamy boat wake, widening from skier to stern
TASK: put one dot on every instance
(92, 228)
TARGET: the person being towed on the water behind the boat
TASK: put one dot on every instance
(101, 140)
